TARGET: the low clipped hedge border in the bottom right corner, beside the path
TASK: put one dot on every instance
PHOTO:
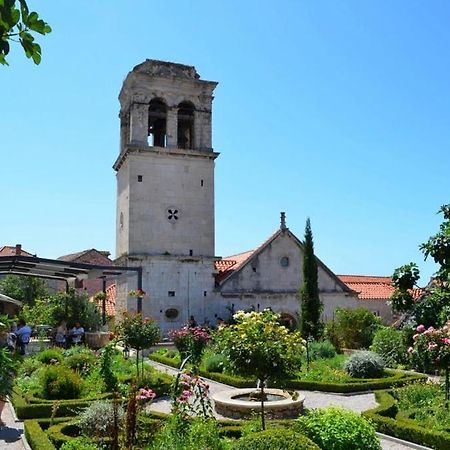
(388, 421)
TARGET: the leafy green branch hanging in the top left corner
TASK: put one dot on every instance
(17, 24)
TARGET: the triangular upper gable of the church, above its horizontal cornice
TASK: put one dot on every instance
(275, 267)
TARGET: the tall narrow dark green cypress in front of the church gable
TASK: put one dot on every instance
(310, 304)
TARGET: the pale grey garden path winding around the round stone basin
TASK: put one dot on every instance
(313, 399)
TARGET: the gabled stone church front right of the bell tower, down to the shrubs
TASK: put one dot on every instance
(271, 276)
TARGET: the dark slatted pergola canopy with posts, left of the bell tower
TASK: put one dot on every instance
(67, 271)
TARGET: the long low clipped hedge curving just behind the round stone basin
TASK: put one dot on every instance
(397, 378)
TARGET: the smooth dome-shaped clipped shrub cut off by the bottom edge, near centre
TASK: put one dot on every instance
(275, 439)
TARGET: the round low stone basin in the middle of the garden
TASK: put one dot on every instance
(235, 403)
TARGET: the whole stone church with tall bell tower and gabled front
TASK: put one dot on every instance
(165, 213)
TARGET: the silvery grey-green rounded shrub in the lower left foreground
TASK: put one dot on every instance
(98, 419)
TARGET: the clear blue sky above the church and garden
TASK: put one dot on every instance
(333, 110)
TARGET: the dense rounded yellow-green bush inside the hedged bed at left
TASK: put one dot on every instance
(58, 382)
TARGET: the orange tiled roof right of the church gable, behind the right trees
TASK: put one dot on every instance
(373, 287)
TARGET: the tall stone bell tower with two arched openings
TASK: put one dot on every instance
(165, 190)
